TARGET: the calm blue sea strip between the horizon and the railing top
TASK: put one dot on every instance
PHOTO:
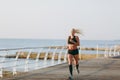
(22, 43)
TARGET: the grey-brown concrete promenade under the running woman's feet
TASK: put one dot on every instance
(94, 69)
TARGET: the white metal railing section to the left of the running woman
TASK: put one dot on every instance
(27, 60)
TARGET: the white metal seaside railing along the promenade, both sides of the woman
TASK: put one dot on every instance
(26, 62)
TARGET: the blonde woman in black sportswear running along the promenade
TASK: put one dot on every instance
(73, 53)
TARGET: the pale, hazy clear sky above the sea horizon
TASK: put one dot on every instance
(53, 19)
